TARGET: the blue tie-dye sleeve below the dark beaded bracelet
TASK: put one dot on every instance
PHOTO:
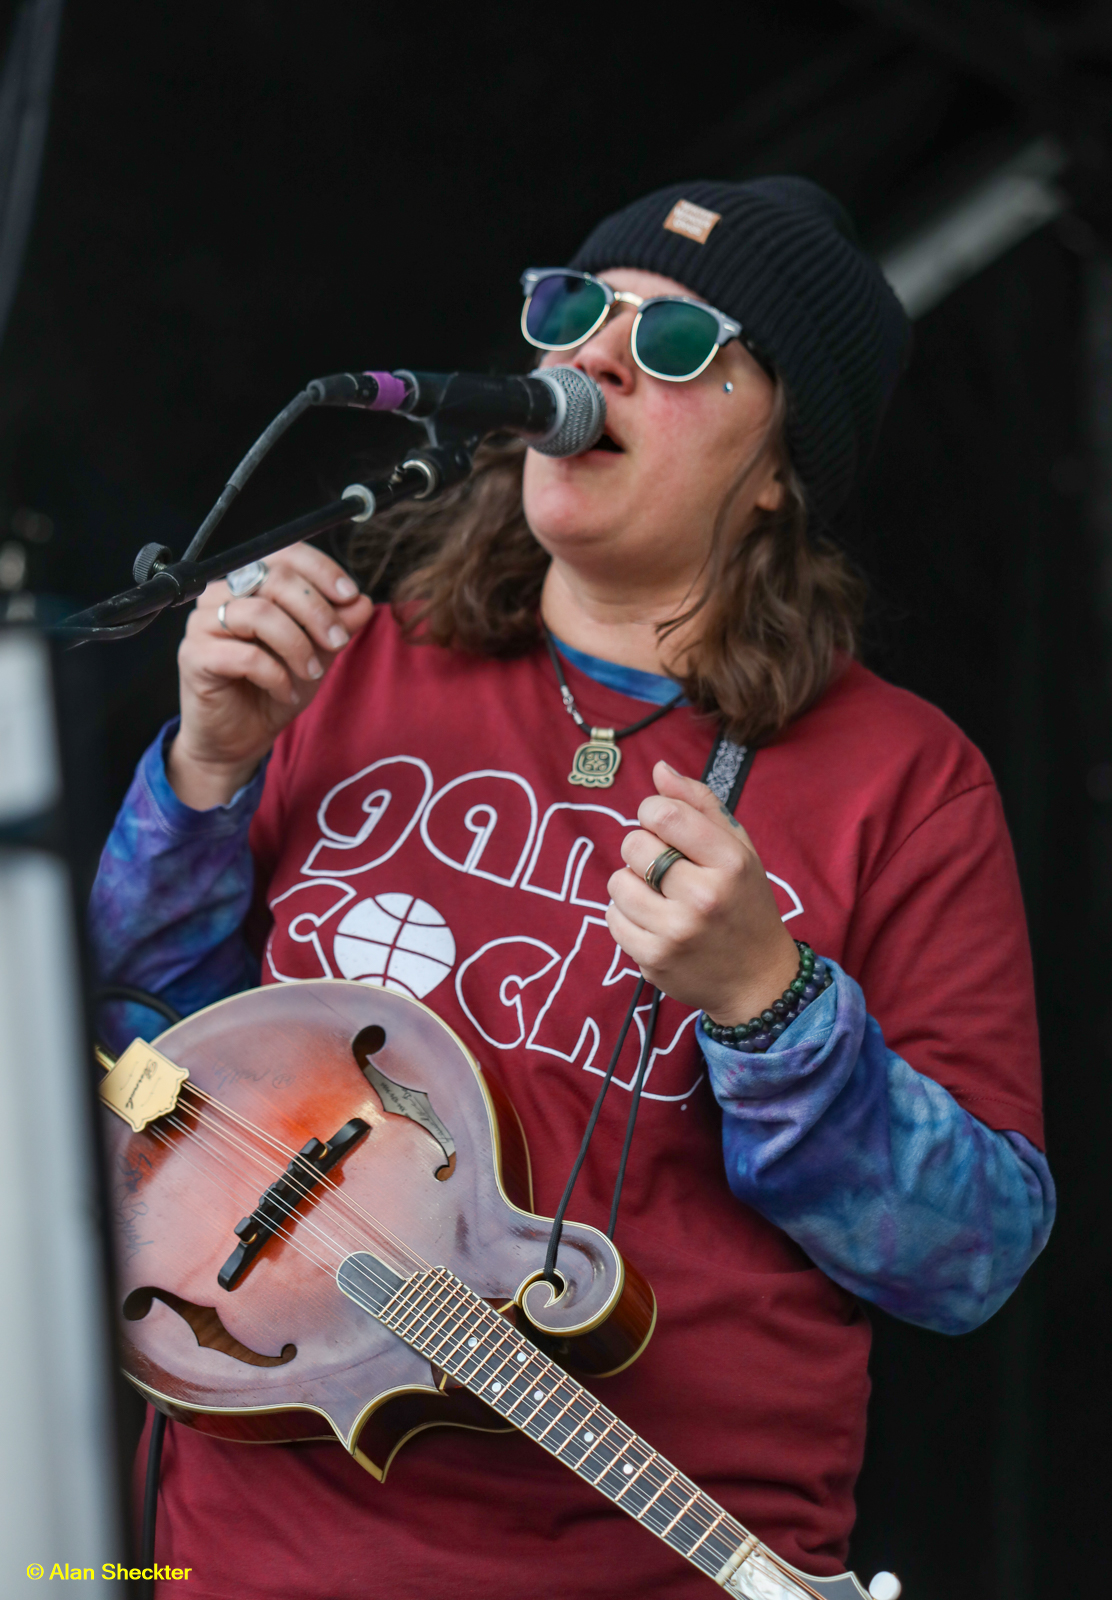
(876, 1170)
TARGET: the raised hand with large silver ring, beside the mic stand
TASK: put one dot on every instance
(242, 684)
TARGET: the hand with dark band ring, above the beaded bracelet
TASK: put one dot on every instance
(714, 938)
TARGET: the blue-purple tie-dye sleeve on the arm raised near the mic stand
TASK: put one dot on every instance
(170, 900)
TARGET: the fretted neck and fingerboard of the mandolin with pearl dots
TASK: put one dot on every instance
(458, 1332)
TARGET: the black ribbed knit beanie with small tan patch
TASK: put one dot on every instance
(782, 257)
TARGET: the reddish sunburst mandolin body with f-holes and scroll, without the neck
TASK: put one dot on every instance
(282, 1354)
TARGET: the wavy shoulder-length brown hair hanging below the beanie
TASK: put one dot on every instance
(778, 606)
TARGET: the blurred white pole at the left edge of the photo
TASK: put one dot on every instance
(58, 1466)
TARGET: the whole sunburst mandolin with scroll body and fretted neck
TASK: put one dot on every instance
(324, 1231)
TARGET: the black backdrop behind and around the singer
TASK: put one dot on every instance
(239, 198)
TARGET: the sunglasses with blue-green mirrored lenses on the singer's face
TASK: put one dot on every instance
(673, 337)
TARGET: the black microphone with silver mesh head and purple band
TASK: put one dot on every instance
(559, 410)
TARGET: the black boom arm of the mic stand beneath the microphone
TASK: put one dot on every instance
(166, 583)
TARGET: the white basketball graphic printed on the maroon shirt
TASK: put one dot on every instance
(398, 943)
